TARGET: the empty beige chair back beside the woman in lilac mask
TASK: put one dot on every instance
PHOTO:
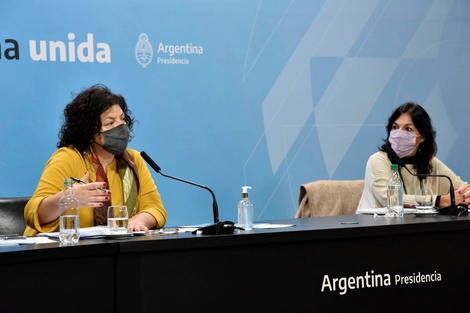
(329, 197)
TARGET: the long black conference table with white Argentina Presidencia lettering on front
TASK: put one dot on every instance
(348, 263)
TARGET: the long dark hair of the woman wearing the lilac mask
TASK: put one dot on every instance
(421, 119)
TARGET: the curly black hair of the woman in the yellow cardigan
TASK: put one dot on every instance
(82, 116)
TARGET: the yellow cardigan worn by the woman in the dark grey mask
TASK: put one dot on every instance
(68, 162)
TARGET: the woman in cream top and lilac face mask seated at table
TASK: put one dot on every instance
(410, 137)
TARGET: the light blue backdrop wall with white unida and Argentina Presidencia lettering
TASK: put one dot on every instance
(270, 94)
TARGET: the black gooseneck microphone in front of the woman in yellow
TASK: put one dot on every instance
(218, 227)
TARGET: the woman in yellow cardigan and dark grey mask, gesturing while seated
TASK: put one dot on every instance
(92, 147)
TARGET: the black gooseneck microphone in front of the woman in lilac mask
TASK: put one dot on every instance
(452, 209)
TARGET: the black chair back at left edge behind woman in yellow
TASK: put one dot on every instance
(12, 215)
